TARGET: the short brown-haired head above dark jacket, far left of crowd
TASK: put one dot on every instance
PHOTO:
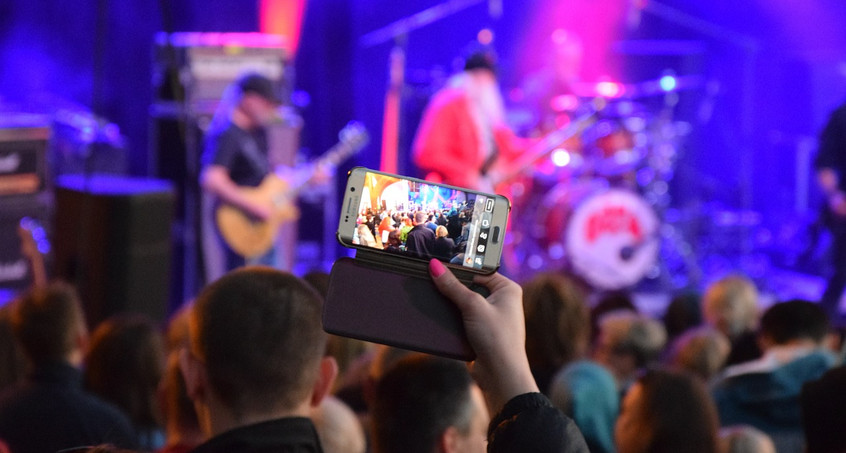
(50, 325)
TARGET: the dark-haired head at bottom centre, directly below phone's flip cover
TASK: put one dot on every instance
(425, 404)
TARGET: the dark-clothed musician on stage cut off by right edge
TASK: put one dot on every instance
(831, 175)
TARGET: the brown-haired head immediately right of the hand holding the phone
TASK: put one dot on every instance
(557, 320)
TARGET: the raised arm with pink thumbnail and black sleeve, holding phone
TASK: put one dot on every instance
(525, 420)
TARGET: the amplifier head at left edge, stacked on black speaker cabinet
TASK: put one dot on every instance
(23, 165)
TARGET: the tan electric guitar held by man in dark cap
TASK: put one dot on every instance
(250, 237)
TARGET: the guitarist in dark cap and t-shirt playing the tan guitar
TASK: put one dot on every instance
(235, 157)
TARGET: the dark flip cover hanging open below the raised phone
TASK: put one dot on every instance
(392, 306)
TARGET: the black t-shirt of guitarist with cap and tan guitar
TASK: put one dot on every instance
(244, 153)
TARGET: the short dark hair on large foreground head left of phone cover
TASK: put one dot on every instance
(258, 332)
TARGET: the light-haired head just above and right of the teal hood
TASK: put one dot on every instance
(628, 342)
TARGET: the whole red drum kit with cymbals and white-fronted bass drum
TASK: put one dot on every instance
(596, 205)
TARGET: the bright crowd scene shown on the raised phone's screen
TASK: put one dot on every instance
(433, 233)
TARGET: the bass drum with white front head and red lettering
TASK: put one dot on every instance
(610, 237)
